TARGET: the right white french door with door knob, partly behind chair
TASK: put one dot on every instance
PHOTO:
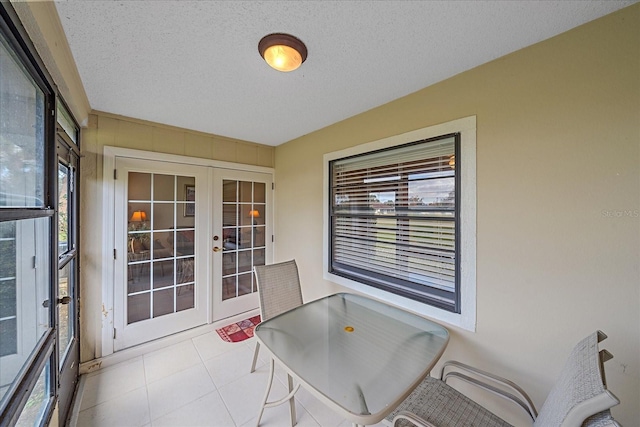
(242, 238)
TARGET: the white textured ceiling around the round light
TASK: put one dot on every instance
(195, 64)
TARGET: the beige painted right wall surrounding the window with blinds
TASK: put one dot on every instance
(558, 152)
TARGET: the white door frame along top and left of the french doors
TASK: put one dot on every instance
(105, 345)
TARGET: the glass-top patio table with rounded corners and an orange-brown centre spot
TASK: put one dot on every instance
(359, 356)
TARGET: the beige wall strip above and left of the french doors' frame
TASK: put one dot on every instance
(116, 131)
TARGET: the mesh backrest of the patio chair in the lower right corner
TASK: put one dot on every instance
(581, 391)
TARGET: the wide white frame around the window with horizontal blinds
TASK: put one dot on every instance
(466, 319)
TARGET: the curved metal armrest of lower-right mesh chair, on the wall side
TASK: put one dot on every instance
(519, 397)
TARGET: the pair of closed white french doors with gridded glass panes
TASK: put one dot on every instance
(186, 238)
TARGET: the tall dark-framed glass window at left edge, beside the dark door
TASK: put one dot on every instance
(28, 230)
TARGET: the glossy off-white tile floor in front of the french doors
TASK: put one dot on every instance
(199, 381)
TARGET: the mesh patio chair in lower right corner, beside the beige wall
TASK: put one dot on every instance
(579, 397)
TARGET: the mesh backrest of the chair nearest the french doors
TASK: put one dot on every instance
(278, 288)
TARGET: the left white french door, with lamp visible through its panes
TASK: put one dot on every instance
(162, 250)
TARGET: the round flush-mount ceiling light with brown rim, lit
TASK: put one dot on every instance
(283, 52)
